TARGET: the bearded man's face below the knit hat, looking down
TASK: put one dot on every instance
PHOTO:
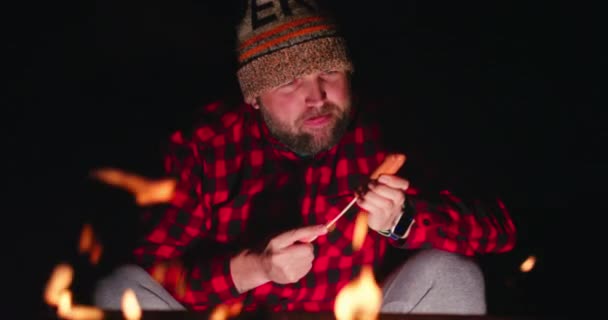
(309, 114)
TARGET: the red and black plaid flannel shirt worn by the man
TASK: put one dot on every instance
(237, 186)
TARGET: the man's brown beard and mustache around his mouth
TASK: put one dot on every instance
(306, 143)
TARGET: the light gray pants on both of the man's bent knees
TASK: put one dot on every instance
(430, 281)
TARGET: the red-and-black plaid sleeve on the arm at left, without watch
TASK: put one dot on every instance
(197, 284)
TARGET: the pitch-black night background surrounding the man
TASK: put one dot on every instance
(472, 89)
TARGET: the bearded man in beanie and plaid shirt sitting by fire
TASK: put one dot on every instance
(258, 183)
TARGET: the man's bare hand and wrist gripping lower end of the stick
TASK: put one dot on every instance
(287, 258)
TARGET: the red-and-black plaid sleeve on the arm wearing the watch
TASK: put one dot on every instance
(451, 224)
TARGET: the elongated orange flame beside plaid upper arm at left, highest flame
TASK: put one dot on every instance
(146, 191)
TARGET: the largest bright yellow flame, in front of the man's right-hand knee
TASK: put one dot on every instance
(360, 299)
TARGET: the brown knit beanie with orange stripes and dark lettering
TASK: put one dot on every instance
(280, 40)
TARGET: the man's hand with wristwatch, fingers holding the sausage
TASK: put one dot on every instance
(383, 201)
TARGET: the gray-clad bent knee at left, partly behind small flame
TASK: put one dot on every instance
(150, 294)
